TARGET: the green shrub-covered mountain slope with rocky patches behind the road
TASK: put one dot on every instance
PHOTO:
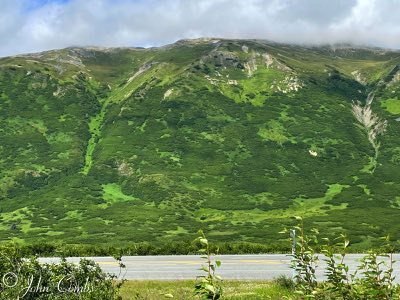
(232, 136)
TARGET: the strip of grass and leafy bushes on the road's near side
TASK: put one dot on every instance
(24, 277)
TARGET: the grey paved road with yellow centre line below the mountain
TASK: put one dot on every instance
(245, 267)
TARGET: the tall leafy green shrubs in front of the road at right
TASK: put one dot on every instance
(373, 278)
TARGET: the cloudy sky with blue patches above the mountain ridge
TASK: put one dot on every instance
(37, 25)
